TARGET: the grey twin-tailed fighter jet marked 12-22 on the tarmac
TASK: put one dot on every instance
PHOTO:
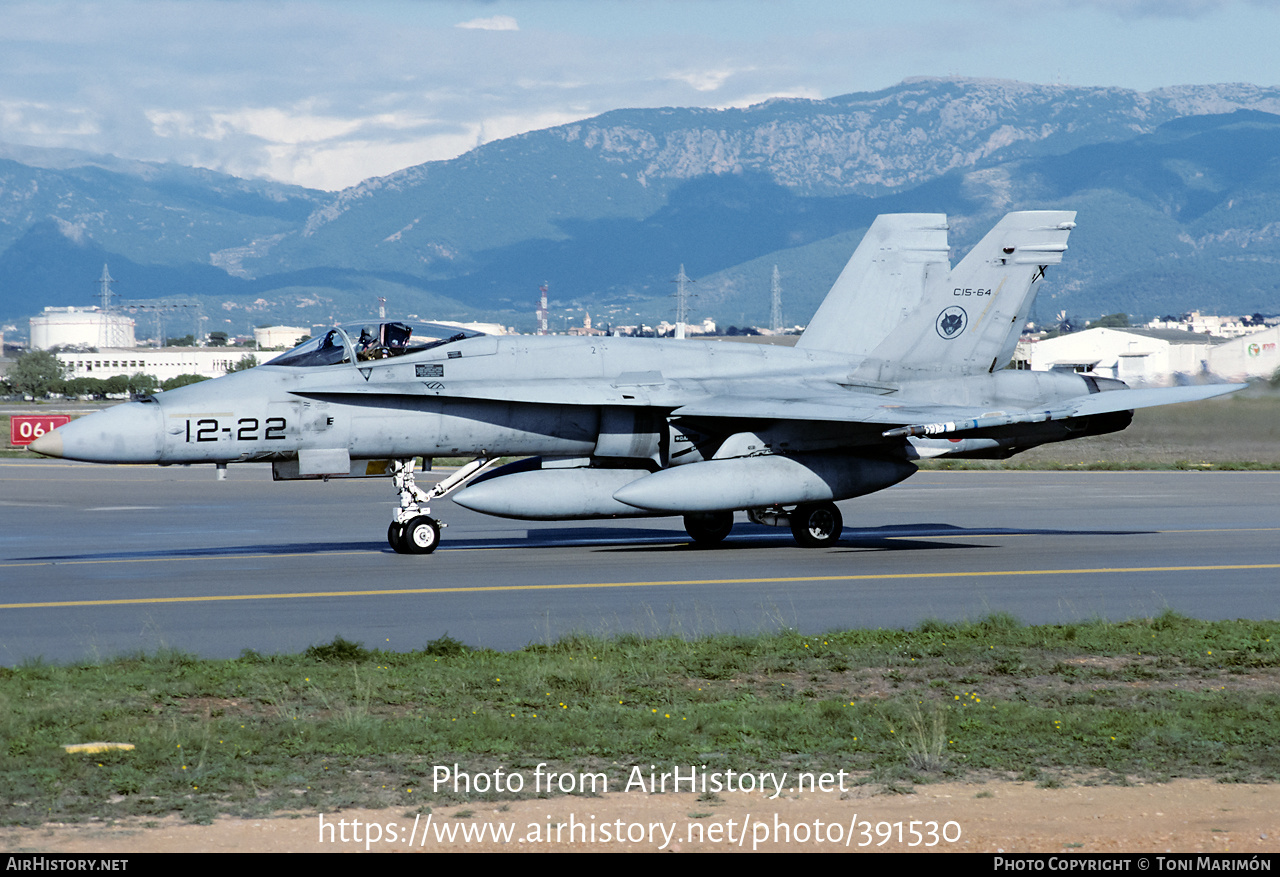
(906, 359)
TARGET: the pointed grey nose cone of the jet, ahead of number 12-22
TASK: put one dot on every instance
(129, 433)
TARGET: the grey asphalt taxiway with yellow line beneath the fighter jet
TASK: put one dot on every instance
(98, 561)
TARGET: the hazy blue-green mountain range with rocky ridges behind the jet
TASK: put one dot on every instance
(1177, 191)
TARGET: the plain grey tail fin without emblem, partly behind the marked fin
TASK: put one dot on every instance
(881, 286)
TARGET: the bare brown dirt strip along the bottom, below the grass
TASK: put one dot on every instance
(1186, 816)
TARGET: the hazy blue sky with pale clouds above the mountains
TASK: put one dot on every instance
(327, 94)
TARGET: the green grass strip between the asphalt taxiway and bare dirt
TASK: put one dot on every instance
(344, 727)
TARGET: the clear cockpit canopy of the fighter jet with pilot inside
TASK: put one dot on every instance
(365, 342)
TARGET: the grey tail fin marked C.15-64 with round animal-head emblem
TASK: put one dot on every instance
(968, 321)
